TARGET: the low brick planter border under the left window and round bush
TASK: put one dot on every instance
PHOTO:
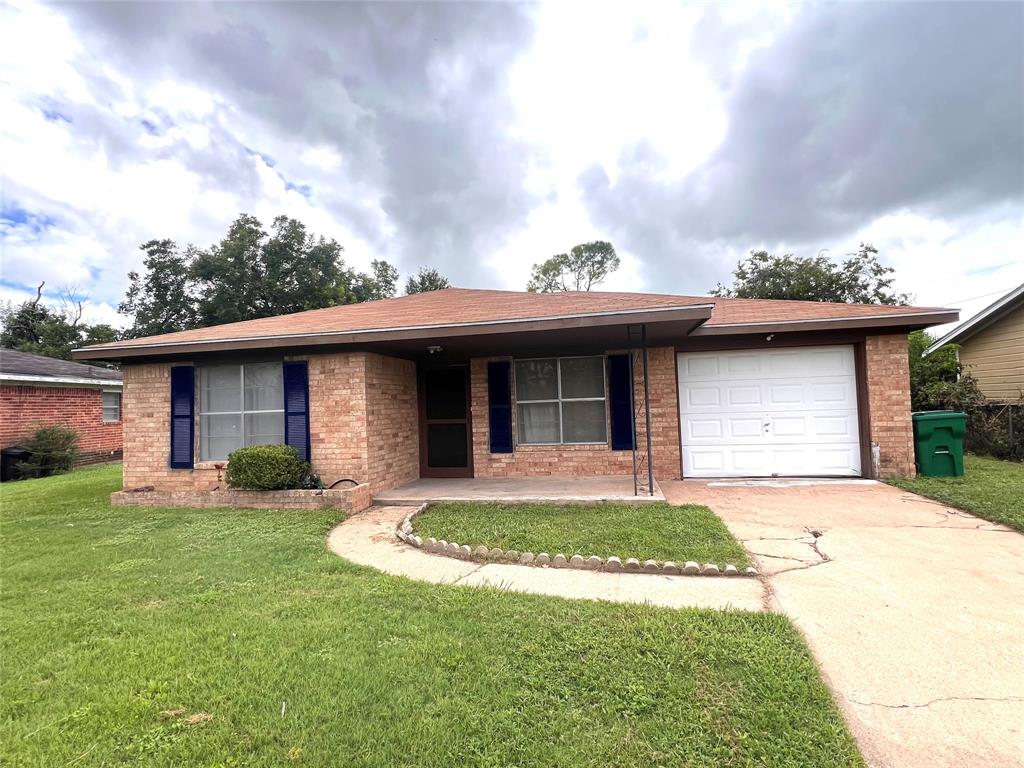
(351, 500)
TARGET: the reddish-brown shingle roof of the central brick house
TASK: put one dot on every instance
(463, 306)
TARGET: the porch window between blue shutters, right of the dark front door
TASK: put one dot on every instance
(561, 401)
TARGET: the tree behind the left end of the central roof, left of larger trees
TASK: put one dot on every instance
(161, 302)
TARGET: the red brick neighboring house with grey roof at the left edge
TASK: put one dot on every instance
(38, 392)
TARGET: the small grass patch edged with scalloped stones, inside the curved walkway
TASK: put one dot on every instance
(655, 532)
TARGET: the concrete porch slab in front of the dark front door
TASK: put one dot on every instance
(546, 489)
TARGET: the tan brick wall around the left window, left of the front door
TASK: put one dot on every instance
(363, 424)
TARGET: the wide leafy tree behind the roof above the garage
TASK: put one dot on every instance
(860, 280)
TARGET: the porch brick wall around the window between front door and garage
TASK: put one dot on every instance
(584, 460)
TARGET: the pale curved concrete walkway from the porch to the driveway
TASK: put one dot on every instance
(369, 539)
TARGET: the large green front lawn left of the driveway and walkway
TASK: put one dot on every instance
(113, 616)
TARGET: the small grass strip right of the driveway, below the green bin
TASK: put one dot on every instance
(990, 489)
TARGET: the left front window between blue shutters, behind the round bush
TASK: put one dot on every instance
(241, 405)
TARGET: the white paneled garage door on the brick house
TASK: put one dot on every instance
(764, 414)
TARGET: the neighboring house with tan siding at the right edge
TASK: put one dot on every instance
(992, 348)
